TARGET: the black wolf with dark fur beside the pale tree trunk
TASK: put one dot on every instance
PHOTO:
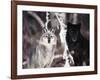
(77, 43)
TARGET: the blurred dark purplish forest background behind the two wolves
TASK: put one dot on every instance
(32, 31)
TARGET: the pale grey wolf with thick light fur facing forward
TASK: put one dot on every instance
(44, 51)
